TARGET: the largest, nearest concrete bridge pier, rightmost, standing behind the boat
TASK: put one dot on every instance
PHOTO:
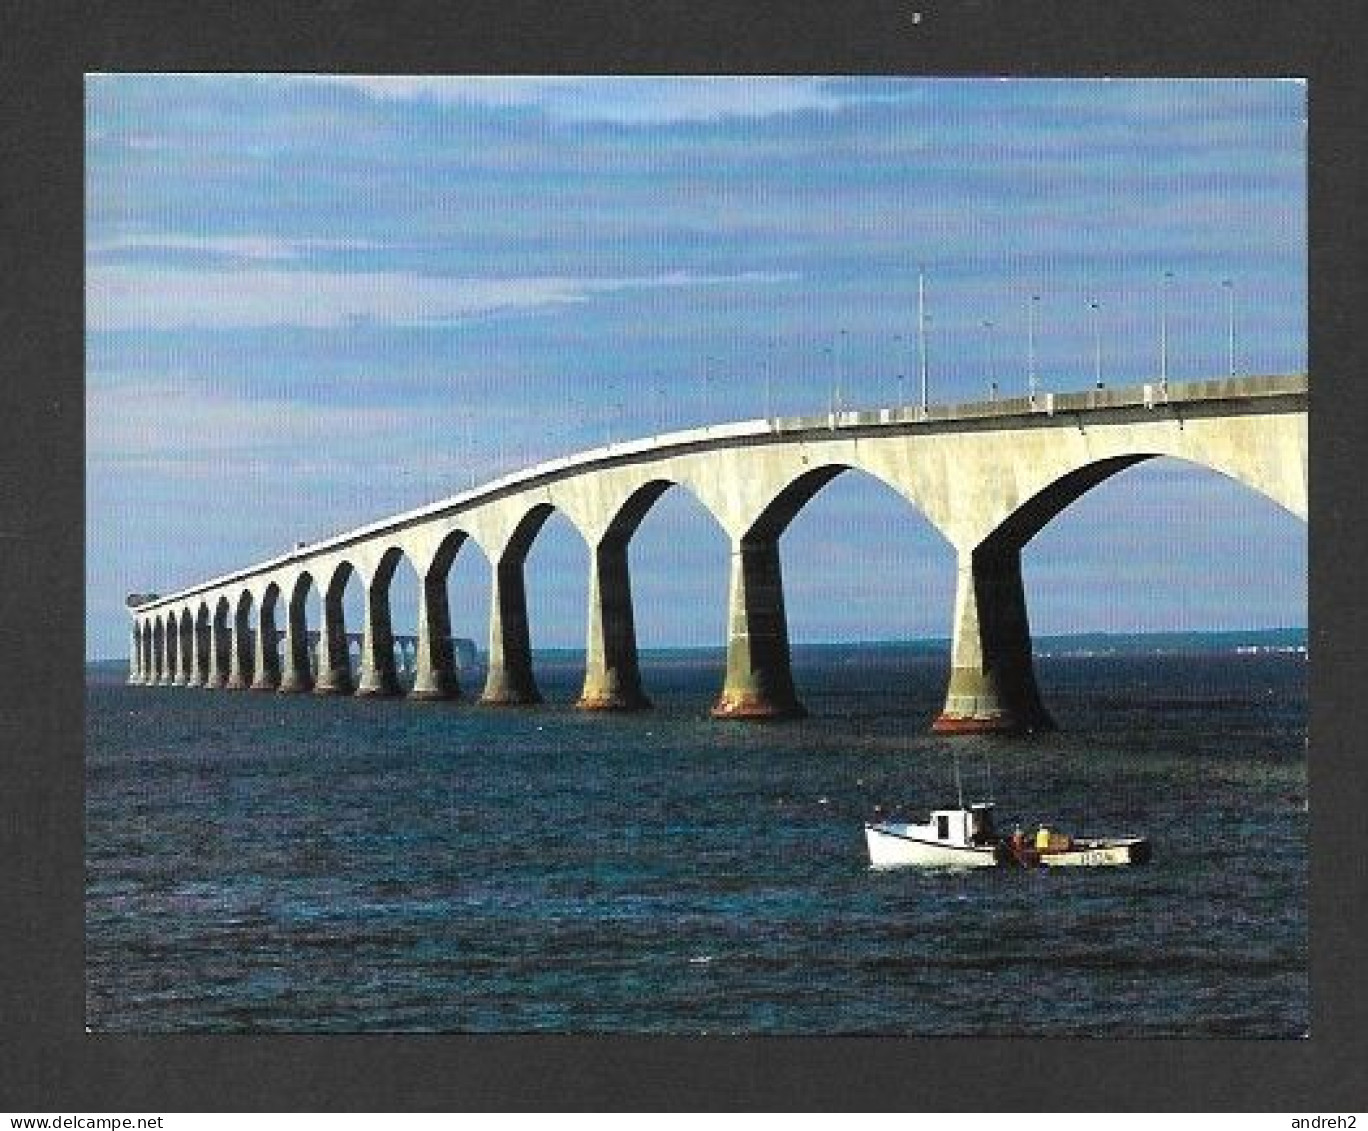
(992, 682)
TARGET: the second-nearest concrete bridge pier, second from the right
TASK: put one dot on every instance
(760, 678)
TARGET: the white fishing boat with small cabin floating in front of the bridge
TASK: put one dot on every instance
(965, 838)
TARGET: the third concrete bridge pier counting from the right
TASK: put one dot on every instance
(612, 674)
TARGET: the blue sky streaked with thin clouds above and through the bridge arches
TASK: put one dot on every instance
(314, 302)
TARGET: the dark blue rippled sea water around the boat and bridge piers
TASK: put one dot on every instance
(267, 864)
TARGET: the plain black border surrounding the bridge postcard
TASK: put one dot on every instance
(50, 1065)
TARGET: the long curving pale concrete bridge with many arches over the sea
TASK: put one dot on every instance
(987, 475)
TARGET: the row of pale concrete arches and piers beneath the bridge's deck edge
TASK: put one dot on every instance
(986, 498)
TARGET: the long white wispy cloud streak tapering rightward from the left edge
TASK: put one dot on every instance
(150, 299)
